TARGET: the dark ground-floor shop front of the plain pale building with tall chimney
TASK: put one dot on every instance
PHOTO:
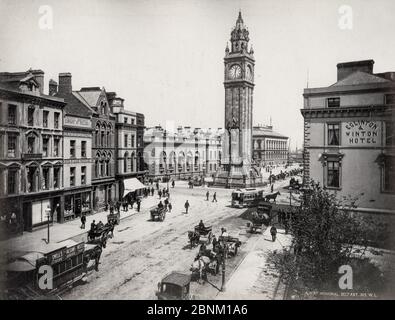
(77, 203)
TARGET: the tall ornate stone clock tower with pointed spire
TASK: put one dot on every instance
(237, 169)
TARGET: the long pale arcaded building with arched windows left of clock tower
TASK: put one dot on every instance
(185, 153)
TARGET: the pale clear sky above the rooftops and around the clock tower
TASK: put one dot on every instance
(165, 57)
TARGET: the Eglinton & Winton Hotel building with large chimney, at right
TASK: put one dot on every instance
(349, 145)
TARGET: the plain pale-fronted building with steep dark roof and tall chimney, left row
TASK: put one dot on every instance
(77, 149)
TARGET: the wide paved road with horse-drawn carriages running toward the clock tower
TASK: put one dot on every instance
(142, 251)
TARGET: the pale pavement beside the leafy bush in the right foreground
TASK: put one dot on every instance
(255, 278)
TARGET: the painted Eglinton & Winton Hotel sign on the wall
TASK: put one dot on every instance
(361, 133)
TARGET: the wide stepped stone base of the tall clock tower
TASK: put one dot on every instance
(237, 178)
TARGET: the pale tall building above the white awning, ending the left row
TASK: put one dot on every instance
(129, 143)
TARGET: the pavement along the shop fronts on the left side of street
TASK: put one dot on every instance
(36, 240)
